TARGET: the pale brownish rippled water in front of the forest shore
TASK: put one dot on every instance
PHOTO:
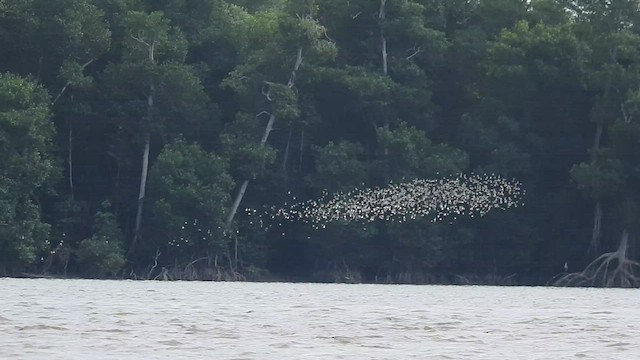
(89, 319)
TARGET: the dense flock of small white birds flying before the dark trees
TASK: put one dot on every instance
(450, 197)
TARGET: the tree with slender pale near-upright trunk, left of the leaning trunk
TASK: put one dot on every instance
(152, 89)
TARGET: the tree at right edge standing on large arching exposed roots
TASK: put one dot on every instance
(609, 177)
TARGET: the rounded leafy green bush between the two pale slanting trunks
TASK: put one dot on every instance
(189, 193)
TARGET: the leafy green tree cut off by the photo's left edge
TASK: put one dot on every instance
(25, 168)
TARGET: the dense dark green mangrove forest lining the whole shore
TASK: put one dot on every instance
(141, 137)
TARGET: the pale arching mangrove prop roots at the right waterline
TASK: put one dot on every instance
(613, 269)
